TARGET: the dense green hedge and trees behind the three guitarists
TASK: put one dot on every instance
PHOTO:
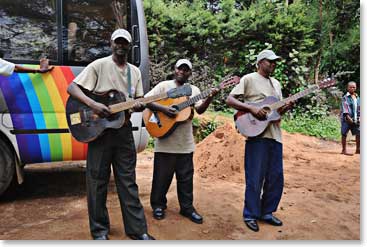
(223, 37)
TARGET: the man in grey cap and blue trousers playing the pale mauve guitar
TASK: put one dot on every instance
(263, 153)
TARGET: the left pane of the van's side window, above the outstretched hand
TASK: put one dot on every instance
(28, 29)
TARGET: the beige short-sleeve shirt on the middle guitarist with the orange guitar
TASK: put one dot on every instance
(181, 140)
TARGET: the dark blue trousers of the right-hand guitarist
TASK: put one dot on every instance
(263, 171)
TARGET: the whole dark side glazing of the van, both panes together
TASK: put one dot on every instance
(30, 29)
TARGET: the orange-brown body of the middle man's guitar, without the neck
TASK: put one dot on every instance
(168, 124)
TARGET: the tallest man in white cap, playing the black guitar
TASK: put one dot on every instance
(115, 146)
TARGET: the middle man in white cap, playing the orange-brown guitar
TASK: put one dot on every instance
(174, 154)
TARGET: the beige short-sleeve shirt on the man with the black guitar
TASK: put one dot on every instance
(103, 75)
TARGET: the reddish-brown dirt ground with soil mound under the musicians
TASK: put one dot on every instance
(321, 198)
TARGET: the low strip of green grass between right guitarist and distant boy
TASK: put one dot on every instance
(325, 127)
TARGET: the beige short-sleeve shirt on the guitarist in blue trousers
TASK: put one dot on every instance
(255, 88)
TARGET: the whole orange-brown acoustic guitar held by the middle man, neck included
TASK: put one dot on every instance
(160, 125)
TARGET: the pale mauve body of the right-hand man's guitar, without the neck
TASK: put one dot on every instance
(250, 126)
